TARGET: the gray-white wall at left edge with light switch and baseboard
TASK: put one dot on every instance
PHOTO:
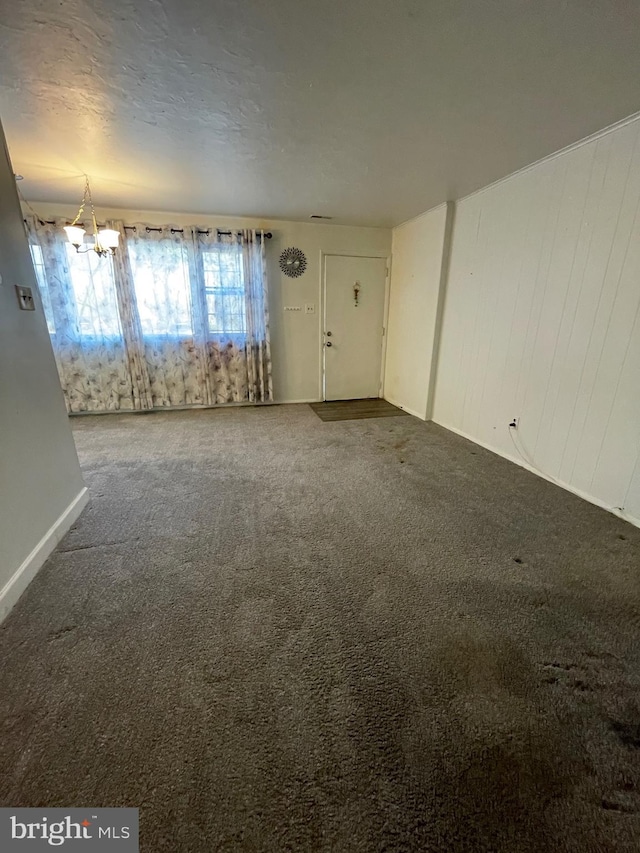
(41, 489)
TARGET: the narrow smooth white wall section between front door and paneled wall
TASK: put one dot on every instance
(418, 256)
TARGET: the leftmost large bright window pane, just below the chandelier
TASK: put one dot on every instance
(95, 294)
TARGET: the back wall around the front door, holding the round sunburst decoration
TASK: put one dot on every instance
(295, 336)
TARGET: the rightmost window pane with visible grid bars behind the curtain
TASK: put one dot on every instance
(224, 289)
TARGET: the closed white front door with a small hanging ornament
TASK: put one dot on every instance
(354, 294)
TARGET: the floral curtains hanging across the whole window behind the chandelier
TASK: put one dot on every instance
(178, 317)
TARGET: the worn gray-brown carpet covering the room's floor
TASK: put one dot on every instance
(271, 633)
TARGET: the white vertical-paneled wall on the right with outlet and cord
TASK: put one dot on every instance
(541, 319)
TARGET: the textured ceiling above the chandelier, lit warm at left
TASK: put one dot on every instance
(370, 111)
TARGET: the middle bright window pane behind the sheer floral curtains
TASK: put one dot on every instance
(161, 280)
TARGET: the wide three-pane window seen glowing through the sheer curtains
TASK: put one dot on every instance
(82, 289)
